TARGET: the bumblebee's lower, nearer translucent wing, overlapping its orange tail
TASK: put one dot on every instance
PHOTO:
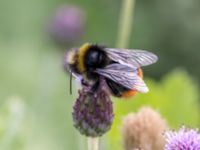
(125, 76)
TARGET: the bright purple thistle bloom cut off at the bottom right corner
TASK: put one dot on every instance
(184, 139)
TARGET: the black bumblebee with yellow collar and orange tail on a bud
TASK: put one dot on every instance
(120, 68)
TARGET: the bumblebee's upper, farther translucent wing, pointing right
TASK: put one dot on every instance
(131, 58)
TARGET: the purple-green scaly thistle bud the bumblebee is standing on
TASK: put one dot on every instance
(93, 112)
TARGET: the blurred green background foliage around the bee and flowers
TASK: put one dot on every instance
(35, 104)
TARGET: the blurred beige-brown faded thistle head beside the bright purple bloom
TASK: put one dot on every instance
(144, 130)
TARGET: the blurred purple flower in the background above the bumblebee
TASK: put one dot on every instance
(67, 25)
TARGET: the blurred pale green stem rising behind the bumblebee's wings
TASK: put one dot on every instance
(125, 23)
